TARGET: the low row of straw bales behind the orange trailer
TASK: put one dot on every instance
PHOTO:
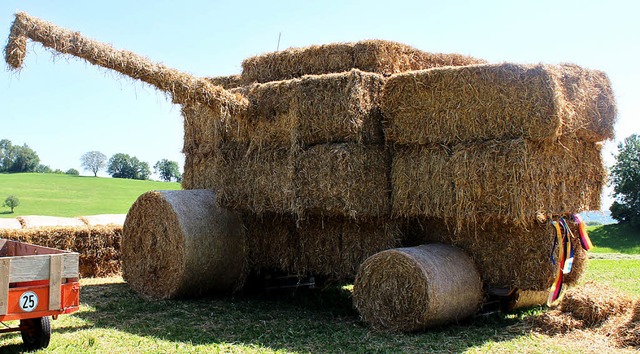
(98, 246)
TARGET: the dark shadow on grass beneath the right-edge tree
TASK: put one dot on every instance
(620, 237)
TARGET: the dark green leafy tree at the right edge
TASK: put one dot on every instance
(625, 178)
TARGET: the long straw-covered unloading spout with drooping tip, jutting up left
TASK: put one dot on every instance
(183, 87)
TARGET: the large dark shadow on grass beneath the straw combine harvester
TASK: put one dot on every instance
(311, 321)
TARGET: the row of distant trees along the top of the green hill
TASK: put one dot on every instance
(21, 158)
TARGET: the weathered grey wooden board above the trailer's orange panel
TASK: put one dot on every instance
(28, 268)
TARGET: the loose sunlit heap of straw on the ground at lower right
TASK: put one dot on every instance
(594, 303)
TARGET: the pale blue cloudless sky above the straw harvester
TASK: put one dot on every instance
(63, 107)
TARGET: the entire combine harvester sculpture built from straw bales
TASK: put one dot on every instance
(432, 181)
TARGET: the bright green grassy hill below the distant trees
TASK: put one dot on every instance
(66, 195)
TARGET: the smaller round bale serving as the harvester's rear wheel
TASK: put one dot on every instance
(410, 289)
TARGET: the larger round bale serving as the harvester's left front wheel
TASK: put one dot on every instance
(180, 244)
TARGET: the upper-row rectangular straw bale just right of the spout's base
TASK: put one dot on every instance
(314, 109)
